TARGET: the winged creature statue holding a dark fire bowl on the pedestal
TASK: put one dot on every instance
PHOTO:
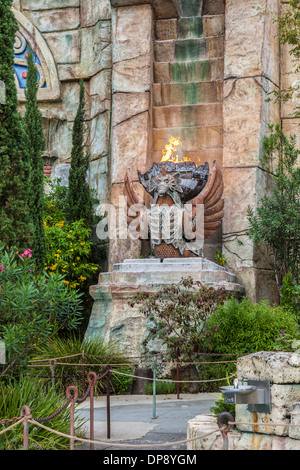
(181, 196)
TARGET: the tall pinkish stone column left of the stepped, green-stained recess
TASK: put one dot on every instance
(132, 33)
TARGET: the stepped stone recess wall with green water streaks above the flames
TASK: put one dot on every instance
(188, 85)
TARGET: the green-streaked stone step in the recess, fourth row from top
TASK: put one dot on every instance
(185, 72)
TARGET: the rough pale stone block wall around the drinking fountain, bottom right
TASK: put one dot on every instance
(276, 430)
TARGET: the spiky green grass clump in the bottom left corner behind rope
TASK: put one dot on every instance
(42, 403)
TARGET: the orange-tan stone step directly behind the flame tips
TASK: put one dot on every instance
(194, 138)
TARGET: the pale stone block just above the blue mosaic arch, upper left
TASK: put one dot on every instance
(56, 20)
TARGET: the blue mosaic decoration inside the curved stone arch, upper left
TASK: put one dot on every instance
(21, 50)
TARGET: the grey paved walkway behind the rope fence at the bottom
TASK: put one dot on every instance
(132, 419)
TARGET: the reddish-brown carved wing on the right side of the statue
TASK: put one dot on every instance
(212, 198)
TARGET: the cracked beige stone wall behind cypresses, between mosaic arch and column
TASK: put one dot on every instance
(78, 35)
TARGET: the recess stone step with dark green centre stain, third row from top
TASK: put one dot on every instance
(186, 50)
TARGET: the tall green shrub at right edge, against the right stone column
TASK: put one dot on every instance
(276, 224)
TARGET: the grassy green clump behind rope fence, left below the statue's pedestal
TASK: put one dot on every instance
(95, 352)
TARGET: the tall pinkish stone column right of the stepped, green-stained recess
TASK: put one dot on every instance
(251, 71)
